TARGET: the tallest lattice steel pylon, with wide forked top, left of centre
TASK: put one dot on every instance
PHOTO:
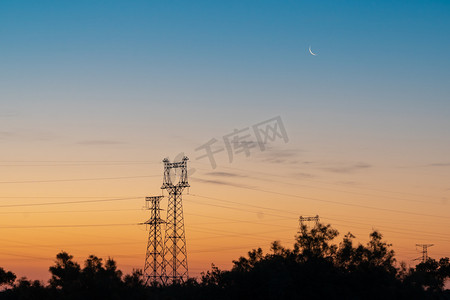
(175, 253)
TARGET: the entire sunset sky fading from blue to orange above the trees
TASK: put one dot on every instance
(94, 94)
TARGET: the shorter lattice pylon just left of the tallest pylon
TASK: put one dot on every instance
(154, 258)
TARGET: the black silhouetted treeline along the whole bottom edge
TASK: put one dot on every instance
(316, 268)
